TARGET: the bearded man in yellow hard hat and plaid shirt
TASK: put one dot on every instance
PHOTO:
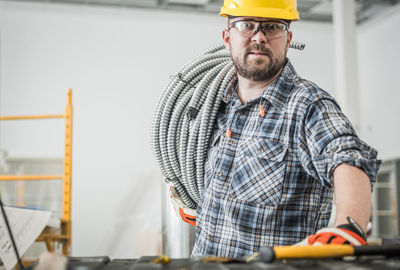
(281, 146)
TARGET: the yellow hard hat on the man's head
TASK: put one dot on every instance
(280, 9)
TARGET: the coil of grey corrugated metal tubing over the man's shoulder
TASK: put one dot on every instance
(184, 118)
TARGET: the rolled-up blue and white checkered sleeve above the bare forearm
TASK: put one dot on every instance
(327, 139)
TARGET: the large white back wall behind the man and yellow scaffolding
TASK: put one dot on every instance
(117, 62)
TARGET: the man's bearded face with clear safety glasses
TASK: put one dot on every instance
(259, 56)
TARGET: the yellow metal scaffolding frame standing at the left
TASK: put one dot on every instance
(51, 236)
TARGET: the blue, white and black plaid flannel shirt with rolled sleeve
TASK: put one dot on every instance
(270, 183)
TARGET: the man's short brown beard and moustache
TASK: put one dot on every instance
(258, 69)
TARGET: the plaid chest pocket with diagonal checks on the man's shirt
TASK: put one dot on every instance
(259, 172)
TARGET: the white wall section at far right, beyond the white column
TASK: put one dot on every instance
(379, 58)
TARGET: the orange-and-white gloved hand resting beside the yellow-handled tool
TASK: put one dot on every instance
(350, 234)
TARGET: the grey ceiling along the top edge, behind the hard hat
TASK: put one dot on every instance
(311, 10)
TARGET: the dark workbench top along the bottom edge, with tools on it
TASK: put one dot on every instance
(146, 263)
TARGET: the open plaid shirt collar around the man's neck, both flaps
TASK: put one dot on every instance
(276, 93)
